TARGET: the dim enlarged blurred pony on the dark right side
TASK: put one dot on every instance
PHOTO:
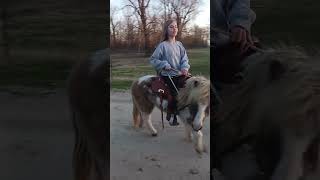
(278, 102)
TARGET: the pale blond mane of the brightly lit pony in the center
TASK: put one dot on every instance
(197, 89)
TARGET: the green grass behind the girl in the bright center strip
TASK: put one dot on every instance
(126, 68)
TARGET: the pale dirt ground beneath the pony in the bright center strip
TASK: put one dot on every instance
(136, 155)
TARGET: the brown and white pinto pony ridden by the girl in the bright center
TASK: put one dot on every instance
(193, 105)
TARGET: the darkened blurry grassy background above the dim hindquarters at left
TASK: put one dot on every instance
(47, 37)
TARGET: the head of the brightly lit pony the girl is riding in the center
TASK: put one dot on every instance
(194, 101)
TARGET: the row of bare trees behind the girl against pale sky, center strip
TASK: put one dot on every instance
(138, 25)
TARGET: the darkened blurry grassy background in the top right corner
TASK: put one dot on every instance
(292, 22)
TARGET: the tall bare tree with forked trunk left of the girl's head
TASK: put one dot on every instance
(140, 7)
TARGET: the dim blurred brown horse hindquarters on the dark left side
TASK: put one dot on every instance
(88, 98)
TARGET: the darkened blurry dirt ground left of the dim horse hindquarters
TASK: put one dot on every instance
(36, 137)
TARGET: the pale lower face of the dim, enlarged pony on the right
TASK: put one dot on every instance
(290, 166)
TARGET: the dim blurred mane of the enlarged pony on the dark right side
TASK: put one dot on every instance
(279, 70)
